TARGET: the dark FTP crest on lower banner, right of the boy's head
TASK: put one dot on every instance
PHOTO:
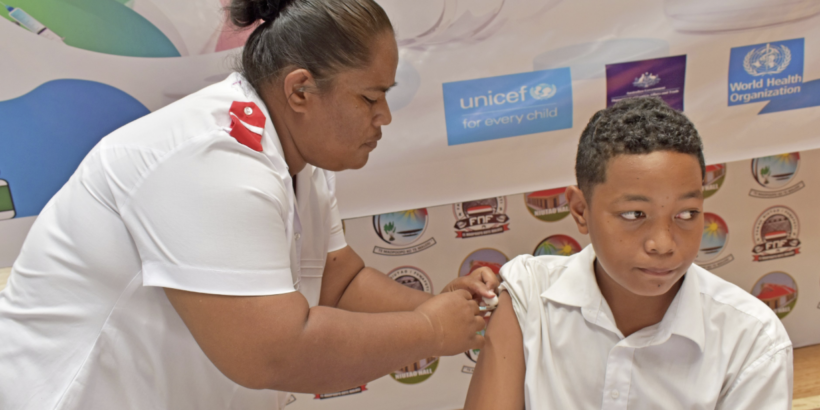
(776, 234)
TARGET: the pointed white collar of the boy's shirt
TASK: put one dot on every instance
(578, 287)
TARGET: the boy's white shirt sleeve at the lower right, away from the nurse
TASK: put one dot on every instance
(766, 383)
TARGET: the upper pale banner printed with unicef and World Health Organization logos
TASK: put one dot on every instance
(491, 95)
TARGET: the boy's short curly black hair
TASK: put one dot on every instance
(632, 126)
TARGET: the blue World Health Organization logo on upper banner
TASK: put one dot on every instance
(766, 71)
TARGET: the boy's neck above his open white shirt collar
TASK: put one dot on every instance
(633, 312)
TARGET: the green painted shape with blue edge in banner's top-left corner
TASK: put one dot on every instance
(104, 26)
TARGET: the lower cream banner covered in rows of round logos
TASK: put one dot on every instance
(761, 232)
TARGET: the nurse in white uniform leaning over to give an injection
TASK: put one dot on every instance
(196, 258)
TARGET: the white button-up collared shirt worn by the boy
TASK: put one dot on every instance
(717, 347)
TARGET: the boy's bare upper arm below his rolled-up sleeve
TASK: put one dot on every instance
(498, 381)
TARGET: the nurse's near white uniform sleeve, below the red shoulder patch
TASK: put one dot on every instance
(210, 218)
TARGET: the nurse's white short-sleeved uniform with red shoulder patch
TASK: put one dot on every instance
(171, 200)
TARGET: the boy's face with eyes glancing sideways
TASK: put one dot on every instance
(646, 221)
